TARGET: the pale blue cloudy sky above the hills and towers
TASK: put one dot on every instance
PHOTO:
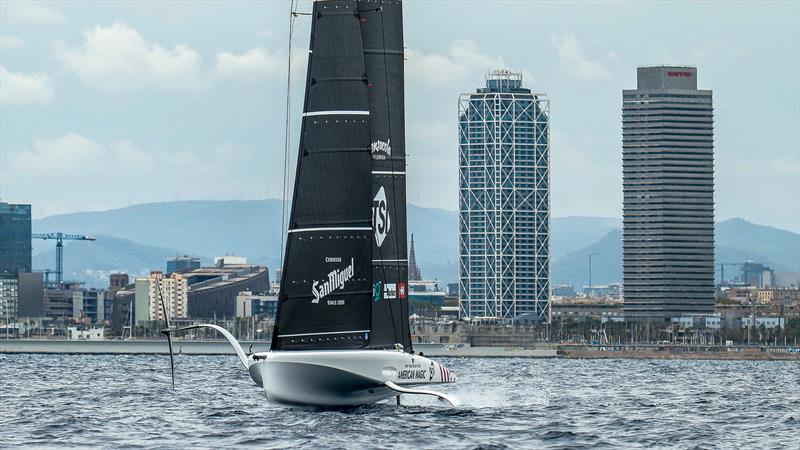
(108, 104)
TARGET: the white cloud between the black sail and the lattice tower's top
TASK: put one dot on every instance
(462, 61)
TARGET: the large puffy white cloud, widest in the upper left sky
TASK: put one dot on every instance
(117, 57)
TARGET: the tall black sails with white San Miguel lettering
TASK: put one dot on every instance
(345, 272)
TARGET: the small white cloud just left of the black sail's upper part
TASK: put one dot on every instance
(254, 64)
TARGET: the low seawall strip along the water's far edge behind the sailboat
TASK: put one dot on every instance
(217, 347)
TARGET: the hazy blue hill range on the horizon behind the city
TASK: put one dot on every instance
(252, 229)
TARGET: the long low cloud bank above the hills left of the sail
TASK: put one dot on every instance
(102, 175)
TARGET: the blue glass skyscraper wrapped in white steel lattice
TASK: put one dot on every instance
(504, 200)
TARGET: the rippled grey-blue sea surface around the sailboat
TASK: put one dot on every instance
(126, 401)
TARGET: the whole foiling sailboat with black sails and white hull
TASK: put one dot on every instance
(341, 334)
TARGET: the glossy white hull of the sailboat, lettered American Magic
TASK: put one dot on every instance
(341, 378)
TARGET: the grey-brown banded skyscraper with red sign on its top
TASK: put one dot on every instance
(668, 186)
